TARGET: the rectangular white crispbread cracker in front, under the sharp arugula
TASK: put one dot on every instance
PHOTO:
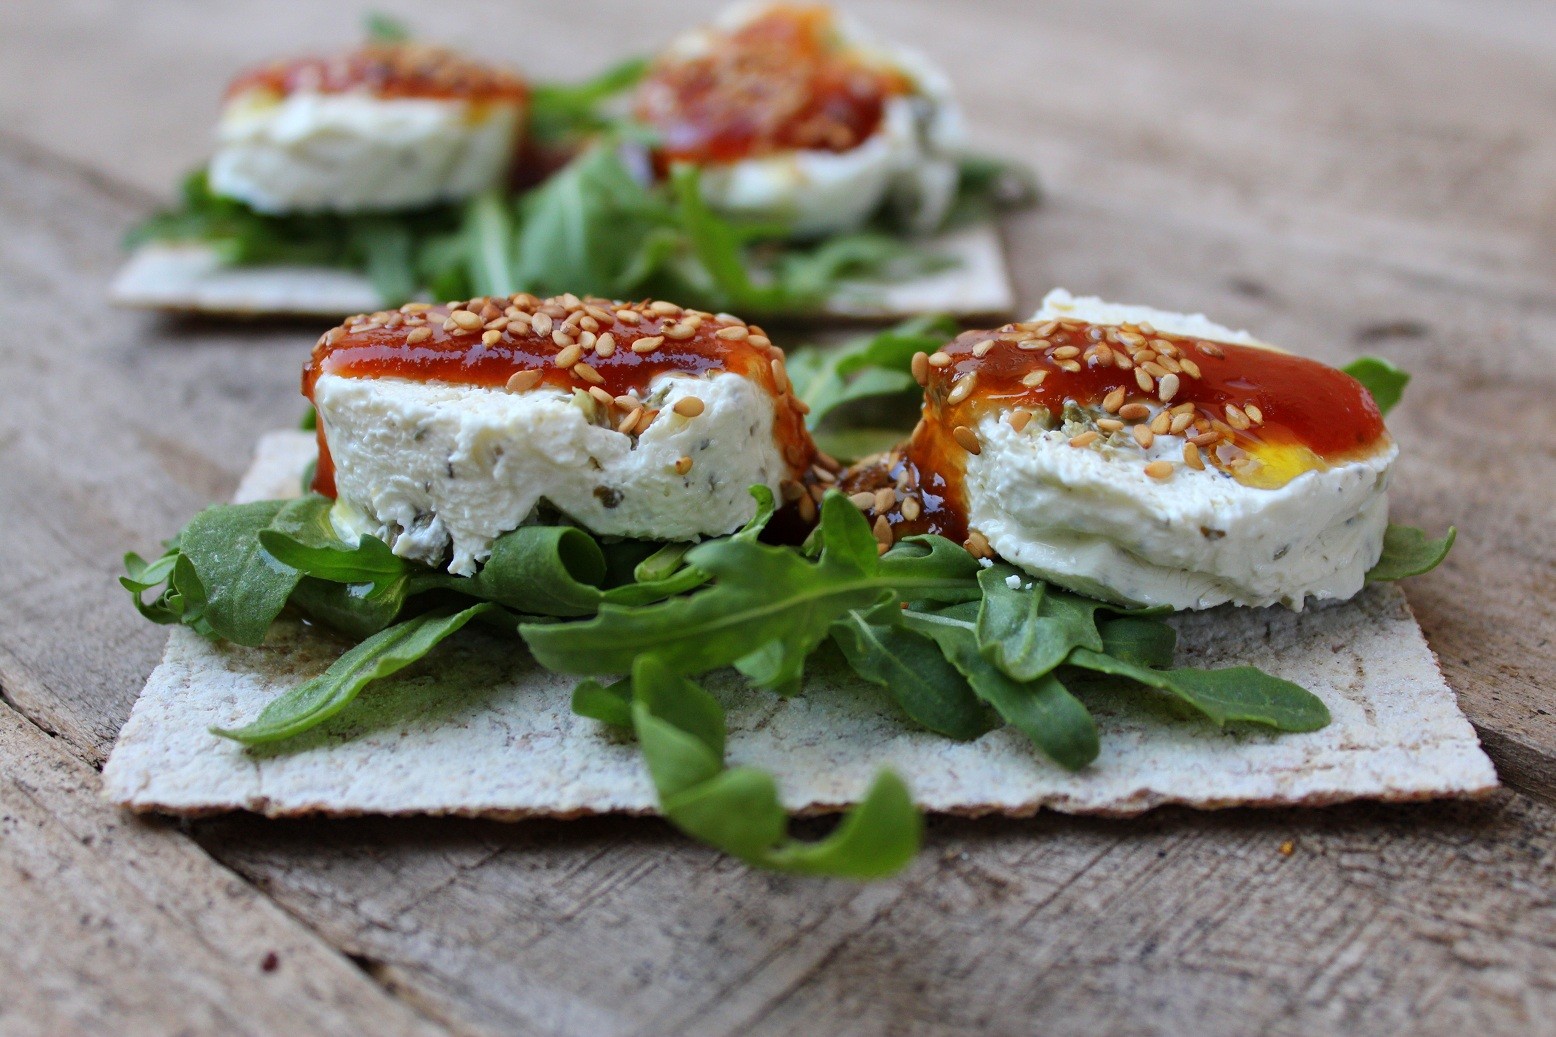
(483, 731)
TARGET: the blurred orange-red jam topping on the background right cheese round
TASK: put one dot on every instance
(782, 82)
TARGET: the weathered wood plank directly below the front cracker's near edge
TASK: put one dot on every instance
(1421, 921)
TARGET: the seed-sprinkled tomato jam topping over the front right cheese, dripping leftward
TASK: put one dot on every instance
(1256, 415)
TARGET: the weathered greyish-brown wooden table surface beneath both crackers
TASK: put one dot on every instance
(1337, 175)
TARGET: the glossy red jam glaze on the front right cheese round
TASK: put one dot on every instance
(1298, 402)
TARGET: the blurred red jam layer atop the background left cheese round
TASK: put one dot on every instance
(388, 71)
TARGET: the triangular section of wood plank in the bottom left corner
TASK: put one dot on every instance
(113, 924)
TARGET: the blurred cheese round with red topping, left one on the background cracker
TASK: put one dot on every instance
(388, 127)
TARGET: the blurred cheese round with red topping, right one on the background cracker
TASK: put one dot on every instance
(794, 116)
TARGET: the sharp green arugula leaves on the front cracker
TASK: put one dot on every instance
(959, 645)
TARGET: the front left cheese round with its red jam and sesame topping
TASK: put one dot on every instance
(443, 429)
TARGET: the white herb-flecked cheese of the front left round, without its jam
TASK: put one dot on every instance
(441, 471)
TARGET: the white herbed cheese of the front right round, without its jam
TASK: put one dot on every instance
(1093, 521)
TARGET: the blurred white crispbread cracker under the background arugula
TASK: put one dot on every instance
(194, 279)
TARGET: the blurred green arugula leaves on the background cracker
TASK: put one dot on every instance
(600, 225)
